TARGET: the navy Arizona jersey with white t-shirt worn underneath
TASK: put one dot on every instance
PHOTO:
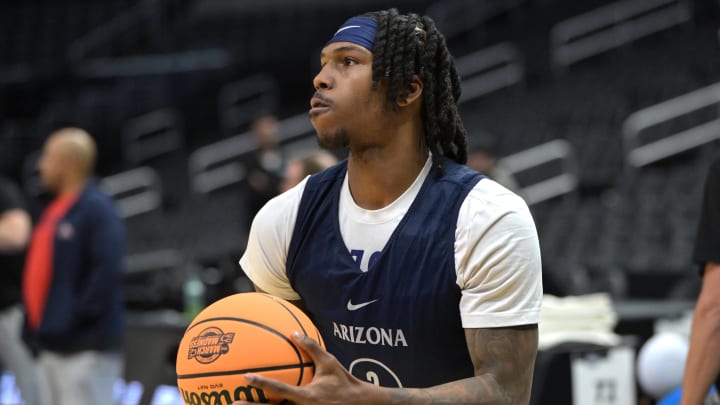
(455, 251)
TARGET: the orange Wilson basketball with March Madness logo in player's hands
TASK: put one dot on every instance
(240, 334)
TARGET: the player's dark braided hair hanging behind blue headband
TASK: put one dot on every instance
(407, 45)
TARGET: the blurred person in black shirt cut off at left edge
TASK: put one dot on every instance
(15, 229)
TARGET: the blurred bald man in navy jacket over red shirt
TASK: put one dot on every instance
(72, 279)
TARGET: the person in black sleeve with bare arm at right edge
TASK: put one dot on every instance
(703, 364)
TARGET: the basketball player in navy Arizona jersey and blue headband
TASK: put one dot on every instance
(422, 275)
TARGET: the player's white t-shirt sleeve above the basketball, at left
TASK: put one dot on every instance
(268, 243)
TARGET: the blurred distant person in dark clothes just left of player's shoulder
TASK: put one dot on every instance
(265, 164)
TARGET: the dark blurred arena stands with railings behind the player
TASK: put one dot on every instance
(606, 113)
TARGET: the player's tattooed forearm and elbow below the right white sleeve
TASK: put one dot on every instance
(504, 359)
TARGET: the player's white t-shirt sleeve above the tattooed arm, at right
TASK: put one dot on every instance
(497, 258)
